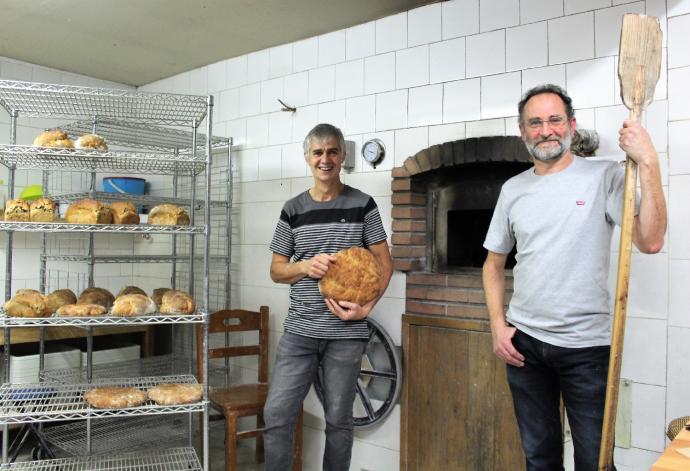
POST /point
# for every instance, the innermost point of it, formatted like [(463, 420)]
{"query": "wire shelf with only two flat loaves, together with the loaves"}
[(111, 397)]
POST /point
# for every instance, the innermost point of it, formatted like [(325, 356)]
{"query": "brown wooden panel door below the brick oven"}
[(459, 412)]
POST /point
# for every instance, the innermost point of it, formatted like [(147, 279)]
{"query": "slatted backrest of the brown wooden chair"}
[(236, 320)]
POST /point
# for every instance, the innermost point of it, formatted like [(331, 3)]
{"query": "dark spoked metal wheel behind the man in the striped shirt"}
[(380, 379)]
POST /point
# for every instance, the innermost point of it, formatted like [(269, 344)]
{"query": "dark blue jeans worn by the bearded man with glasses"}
[(579, 375)]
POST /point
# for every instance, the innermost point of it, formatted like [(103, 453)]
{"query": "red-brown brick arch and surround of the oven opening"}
[(456, 295)]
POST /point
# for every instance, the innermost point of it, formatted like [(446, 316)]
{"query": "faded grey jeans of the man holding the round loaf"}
[(296, 365)]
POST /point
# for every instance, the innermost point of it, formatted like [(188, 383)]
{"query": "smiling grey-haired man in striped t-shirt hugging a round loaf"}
[(328, 217)]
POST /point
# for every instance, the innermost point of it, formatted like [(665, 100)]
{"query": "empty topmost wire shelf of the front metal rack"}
[(66, 101)]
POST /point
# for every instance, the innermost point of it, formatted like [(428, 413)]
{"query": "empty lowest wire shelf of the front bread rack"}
[(174, 459)]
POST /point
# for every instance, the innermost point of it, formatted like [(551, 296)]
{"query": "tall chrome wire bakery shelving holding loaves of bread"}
[(155, 134)]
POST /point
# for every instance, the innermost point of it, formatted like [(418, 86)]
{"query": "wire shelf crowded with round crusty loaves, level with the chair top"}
[(98, 306)]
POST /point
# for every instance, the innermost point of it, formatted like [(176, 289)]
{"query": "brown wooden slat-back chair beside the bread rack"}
[(242, 400)]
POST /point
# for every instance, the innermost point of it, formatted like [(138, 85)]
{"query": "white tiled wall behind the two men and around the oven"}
[(448, 71)]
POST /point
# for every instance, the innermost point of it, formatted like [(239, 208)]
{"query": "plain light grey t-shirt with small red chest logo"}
[(562, 225)]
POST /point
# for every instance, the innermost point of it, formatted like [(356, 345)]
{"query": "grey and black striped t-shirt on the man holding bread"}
[(307, 228)]
